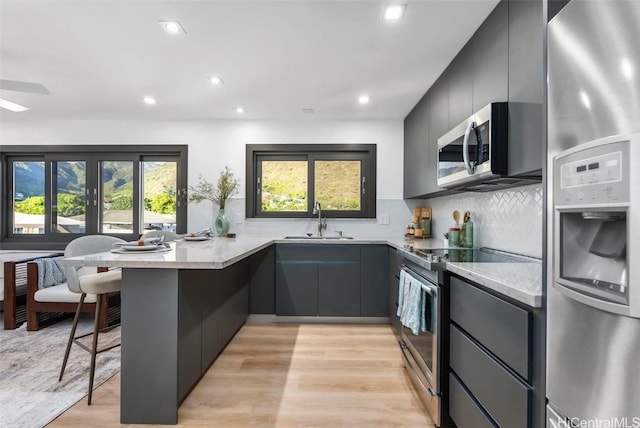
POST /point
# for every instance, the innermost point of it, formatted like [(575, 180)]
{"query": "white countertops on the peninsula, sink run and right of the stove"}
[(521, 281)]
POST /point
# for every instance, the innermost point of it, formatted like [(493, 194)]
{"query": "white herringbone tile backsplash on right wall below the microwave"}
[(508, 220)]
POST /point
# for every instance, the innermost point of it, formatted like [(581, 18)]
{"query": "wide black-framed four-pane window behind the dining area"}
[(53, 194)]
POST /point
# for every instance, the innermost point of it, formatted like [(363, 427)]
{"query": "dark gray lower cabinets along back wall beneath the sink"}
[(331, 280)]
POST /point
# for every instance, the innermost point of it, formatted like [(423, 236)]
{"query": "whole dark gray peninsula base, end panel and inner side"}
[(174, 325)]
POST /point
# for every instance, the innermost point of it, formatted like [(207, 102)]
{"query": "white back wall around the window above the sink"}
[(219, 143)]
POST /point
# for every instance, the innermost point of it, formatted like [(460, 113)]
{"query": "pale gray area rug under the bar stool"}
[(30, 361)]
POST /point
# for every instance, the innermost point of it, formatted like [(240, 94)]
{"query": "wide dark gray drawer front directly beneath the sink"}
[(318, 253)]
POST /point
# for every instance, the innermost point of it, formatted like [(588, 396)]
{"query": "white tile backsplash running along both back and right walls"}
[(508, 220)]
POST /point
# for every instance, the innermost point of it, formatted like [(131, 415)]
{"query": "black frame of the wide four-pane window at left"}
[(53, 153)]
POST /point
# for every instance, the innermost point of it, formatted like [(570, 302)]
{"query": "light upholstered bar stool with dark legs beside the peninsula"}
[(99, 284)]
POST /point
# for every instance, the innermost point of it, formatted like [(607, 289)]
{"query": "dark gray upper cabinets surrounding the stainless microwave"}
[(501, 62)]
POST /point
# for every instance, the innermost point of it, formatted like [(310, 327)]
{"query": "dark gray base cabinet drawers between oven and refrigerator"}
[(490, 359)]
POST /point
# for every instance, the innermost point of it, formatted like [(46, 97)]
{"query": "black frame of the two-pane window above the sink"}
[(366, 153)]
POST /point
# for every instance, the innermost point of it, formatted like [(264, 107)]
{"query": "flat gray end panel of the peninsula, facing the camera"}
[(149, 317)]
